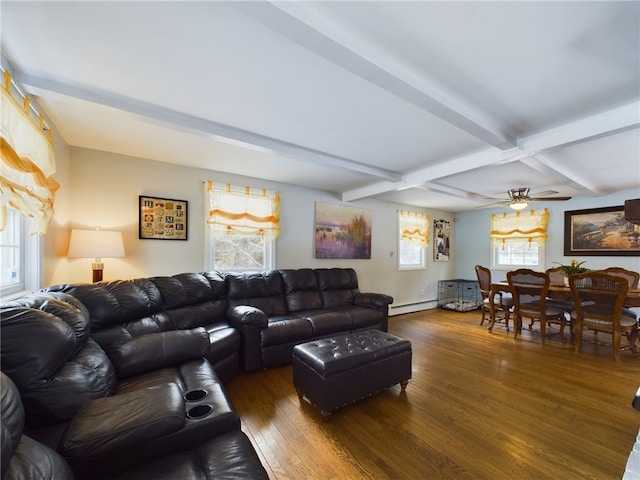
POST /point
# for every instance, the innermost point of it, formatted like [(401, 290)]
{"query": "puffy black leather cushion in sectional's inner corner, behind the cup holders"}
[(158, 350)]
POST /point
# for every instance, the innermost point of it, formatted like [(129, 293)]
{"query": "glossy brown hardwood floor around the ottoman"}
[(480, 405)]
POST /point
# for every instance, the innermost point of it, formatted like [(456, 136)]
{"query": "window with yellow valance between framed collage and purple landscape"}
[(242, 229)]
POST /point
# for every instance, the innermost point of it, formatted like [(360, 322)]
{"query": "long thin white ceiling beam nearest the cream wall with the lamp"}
[(175, 119)]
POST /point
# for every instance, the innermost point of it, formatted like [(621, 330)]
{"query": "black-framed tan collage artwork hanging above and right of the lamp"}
[(162, 218)]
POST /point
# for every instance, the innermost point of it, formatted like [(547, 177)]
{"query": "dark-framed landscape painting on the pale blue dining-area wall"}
[(600, 231)]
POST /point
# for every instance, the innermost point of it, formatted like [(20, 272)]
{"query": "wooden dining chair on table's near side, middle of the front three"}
[(529, 290)]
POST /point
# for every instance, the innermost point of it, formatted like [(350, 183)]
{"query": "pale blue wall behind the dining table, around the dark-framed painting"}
[(473, 227)]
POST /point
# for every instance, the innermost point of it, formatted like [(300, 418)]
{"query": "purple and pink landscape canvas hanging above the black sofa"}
[(342, 232)]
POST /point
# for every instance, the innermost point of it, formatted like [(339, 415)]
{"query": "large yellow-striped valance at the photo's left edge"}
[(26, 163)]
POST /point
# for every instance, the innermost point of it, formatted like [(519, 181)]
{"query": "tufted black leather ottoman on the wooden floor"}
[(337, 371)]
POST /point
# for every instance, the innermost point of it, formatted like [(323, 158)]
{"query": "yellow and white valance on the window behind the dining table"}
[(530, 226)]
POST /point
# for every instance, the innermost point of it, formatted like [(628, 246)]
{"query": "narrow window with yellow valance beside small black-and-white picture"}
[(413, 239)]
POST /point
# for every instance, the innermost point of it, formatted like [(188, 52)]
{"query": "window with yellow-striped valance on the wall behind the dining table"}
[(517, 241)]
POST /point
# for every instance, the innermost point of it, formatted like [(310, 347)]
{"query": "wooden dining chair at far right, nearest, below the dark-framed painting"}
[(599, 297)]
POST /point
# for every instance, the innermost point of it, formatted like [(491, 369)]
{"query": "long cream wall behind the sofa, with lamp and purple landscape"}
[(102, 189)]
